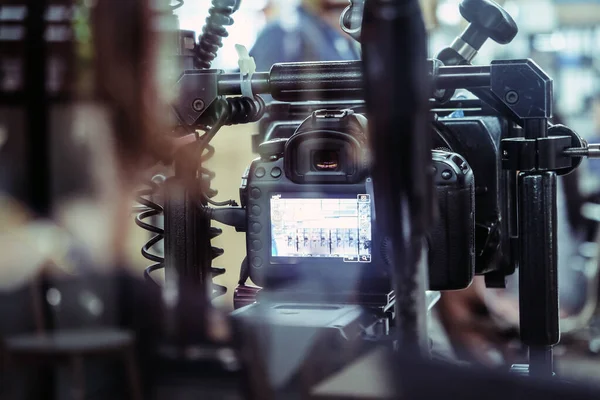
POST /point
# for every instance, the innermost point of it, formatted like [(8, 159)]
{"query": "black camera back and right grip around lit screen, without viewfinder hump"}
[(451, 242)]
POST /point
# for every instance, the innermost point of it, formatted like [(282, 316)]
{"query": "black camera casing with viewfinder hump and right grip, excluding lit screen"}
[(285, 170)]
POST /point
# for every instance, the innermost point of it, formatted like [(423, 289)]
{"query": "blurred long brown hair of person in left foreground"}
[(126, 70)]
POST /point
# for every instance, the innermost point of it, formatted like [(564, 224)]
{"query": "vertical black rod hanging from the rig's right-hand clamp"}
[(538, 286)]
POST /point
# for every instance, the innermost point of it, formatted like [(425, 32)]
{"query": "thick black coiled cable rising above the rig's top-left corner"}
[(214, 31)]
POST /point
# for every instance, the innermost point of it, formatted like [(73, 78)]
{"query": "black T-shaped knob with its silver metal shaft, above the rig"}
[(487, 20)]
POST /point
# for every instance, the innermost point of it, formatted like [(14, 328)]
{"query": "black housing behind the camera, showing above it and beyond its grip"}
[(476, 136)]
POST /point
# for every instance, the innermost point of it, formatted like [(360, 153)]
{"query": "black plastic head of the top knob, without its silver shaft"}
[(488, 20)]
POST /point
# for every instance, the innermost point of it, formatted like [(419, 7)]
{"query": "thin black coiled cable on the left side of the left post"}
[(152, 209)]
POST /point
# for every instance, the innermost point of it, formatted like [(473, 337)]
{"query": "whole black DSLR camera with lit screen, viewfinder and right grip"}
[(311, 217)]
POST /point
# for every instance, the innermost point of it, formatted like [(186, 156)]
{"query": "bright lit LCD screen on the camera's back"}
[(324, 227)]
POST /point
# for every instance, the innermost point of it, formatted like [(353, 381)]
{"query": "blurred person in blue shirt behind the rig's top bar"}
[(305, 31)]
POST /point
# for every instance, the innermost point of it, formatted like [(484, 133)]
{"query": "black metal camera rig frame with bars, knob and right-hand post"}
[(533, 155)]
